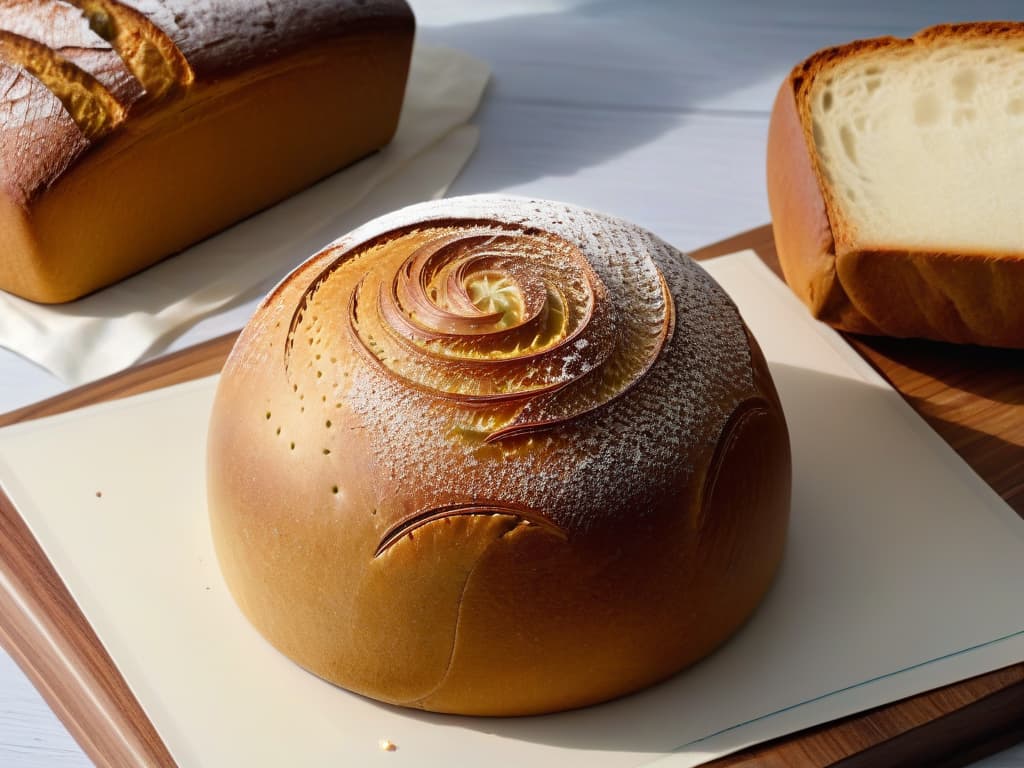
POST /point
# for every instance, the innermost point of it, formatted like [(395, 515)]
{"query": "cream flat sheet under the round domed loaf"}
[(904, 573)]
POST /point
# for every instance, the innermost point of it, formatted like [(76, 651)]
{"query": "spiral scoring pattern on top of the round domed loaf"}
[(516, 328)]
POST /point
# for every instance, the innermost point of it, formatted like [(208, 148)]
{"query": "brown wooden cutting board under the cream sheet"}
[(973, 398)]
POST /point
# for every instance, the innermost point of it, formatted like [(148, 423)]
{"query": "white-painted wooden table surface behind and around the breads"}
[(653, 110)]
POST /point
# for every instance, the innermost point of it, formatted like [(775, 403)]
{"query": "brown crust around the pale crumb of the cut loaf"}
[(956, 296)]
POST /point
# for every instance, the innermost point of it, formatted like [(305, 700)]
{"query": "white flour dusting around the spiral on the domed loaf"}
[(593, 468)]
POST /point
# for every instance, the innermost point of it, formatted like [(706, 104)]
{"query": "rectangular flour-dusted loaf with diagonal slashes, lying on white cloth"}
[(131, 130)]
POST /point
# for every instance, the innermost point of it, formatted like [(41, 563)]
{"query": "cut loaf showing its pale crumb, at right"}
[(894, 182)]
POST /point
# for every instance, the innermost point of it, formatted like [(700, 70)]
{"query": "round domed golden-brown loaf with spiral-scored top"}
[(498, 457)]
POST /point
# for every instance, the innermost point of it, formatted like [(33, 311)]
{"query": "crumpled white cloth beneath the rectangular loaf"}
[(114, 328)]
